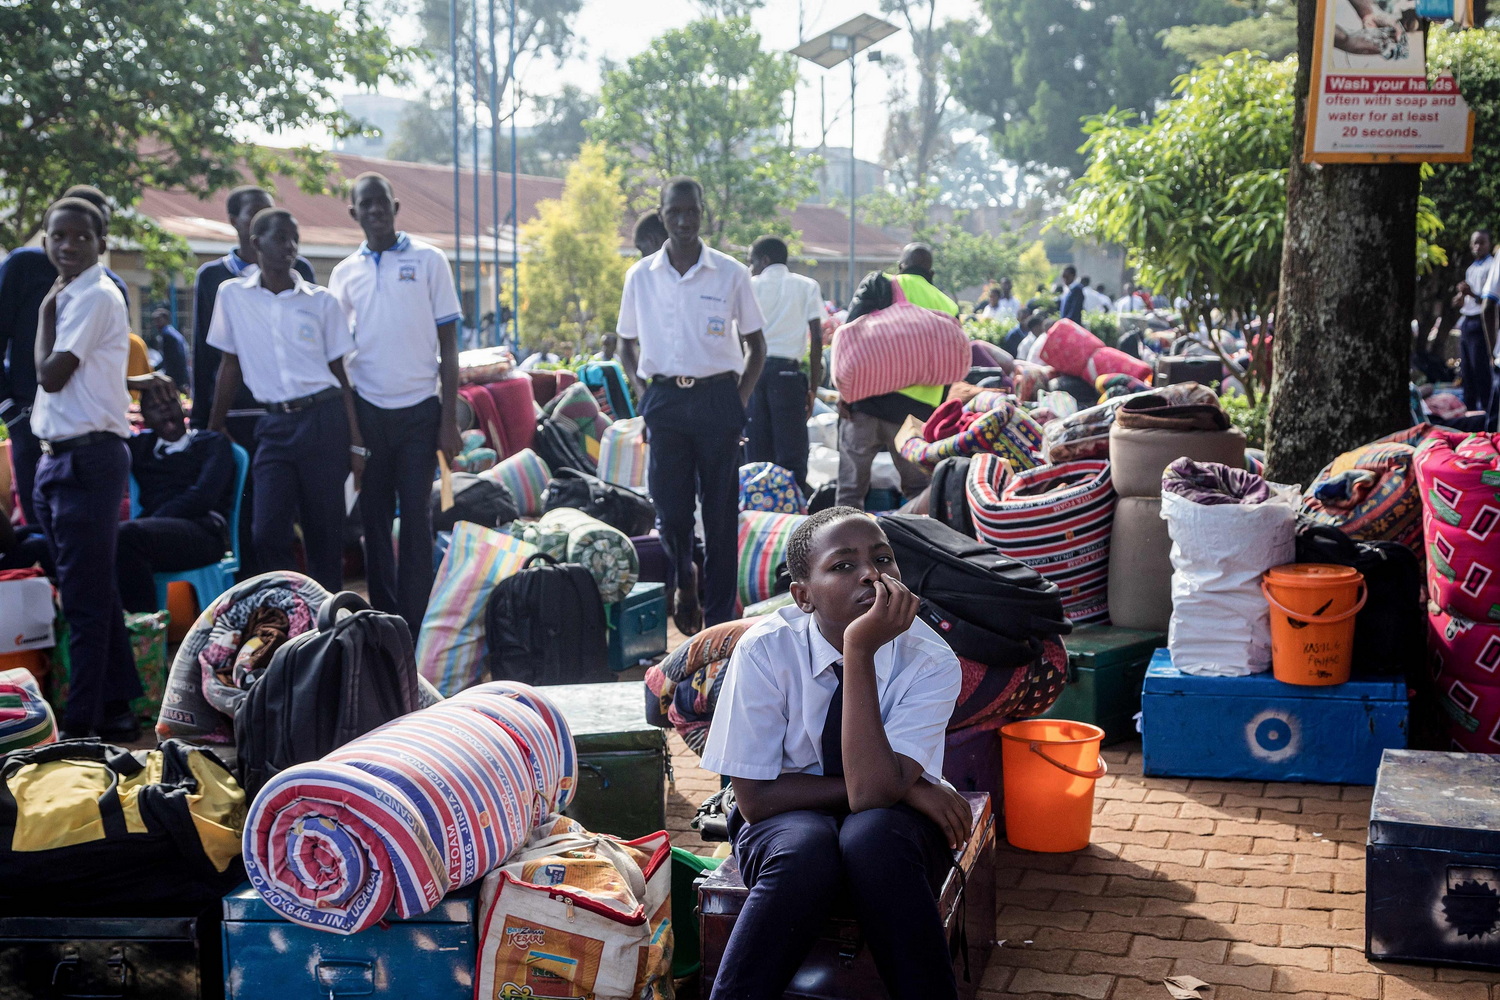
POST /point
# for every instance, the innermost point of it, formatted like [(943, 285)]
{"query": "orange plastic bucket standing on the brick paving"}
[(1051, 767)]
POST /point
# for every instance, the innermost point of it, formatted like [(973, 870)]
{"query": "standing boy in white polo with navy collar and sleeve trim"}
[(400, 299)]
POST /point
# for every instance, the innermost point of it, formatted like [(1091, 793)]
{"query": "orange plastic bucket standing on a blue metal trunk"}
[(1313, 611)]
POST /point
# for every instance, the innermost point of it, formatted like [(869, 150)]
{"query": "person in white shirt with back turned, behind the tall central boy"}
[(793, 307)]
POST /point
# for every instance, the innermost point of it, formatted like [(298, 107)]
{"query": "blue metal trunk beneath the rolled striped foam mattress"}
[(430, 957)]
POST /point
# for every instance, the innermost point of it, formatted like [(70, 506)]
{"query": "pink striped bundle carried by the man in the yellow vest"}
[(898, 347)]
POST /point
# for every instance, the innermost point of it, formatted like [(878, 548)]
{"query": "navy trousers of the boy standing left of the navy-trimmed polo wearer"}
[(301, 464)]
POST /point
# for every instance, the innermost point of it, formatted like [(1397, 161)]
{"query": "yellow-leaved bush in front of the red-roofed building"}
[(572, 274)]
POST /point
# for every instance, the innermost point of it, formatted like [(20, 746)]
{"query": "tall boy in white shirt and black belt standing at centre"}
[(679, 316)]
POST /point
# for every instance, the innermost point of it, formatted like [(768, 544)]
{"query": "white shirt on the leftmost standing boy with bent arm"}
[(92, 326)]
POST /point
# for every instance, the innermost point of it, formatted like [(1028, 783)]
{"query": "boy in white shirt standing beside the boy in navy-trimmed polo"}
[(287, 340)]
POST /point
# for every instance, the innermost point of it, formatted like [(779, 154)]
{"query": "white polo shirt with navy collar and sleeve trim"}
[(397, 301)]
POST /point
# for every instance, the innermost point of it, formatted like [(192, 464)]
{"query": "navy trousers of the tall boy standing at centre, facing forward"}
[(695, 455)]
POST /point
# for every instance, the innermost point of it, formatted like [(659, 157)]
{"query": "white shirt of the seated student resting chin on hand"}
[(781, 681)]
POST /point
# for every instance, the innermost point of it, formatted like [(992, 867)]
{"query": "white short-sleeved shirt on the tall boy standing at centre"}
[(688, 325)]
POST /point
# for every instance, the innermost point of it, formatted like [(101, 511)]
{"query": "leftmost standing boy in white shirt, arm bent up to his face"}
[(80, 419)]
